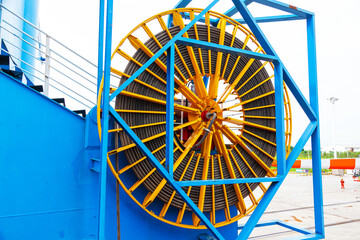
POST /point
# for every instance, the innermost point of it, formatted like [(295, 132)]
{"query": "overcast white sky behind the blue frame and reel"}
[(75, 23)]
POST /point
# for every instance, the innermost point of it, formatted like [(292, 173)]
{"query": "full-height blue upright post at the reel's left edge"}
[(105, 120)]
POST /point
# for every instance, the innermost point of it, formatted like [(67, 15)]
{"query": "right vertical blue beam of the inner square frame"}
[(279, 112)]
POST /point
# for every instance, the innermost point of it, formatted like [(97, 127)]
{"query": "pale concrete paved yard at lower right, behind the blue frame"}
[(294, 204)]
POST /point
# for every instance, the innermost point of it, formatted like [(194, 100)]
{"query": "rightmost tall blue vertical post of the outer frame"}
[(315, 140)]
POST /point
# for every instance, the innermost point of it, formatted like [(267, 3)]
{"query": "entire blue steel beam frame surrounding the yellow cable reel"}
[(281, 76)]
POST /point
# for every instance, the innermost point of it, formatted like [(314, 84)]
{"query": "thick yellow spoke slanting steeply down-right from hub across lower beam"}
[(220, 146)]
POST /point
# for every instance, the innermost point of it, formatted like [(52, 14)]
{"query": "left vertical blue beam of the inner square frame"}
[(169, 149)]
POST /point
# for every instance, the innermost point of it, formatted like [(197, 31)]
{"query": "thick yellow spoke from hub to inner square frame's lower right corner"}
[(235, 139)]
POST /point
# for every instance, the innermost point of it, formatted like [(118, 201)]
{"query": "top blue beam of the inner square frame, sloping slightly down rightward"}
[(224, 49)]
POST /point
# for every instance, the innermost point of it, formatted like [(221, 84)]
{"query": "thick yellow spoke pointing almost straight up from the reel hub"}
[(214, 83)]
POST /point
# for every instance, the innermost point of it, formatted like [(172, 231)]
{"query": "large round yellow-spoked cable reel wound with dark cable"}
[(224, 152)]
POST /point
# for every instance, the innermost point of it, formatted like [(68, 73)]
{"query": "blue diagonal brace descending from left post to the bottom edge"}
[(162, 171)]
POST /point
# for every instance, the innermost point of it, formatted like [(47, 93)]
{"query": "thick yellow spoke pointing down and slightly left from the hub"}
[(206, 160)]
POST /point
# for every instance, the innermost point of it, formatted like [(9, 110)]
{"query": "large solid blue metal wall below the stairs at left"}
[(47, 188)]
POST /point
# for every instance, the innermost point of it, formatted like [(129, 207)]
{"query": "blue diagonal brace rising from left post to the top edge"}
[(162, 50)]
